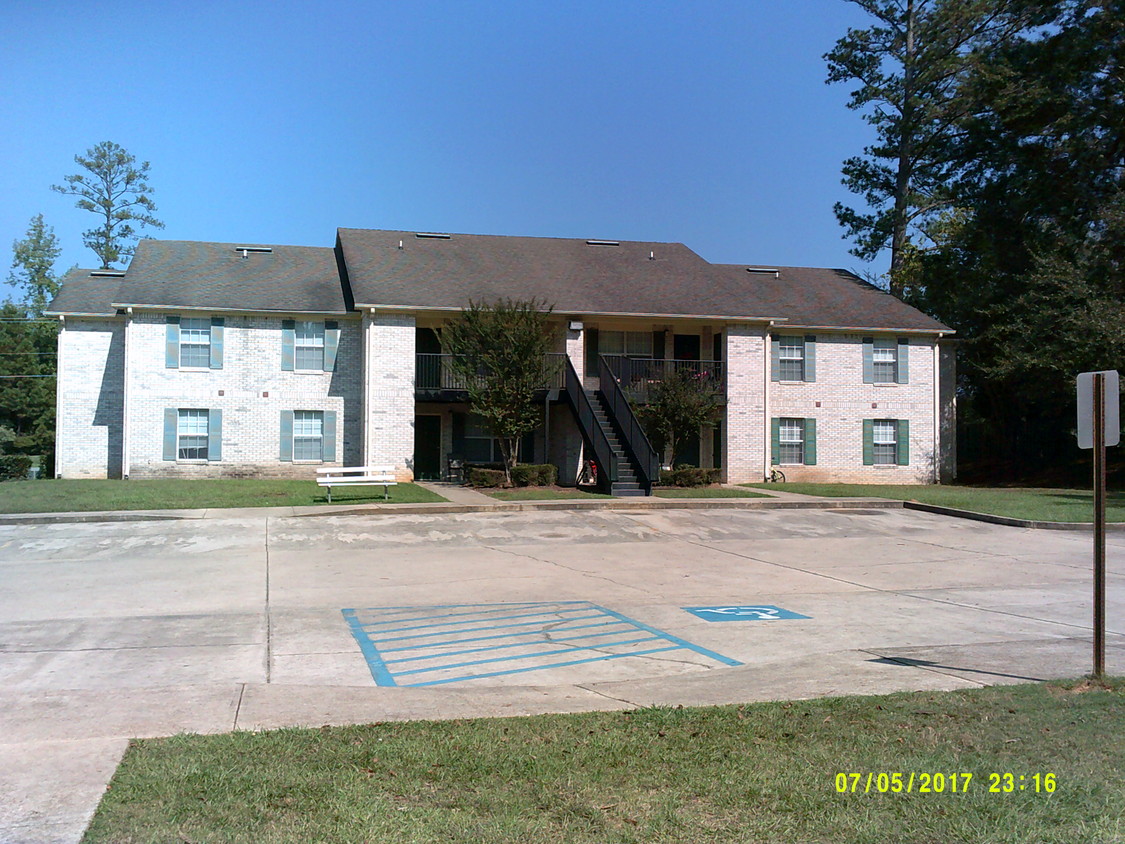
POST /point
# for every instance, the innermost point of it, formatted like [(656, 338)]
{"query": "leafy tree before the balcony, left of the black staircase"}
[(500, 352)]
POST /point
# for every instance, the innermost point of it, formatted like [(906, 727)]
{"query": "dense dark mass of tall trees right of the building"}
[(997, 185)]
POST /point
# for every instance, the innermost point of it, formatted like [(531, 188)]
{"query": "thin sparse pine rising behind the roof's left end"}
[(118, 191)]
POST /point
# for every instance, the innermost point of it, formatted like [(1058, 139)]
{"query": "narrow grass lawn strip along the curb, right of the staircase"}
[(1048, 506)]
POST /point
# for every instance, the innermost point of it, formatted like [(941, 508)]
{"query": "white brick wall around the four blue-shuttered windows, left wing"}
[(255, 391)]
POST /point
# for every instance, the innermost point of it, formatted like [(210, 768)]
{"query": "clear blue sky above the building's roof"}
[(707, 123)]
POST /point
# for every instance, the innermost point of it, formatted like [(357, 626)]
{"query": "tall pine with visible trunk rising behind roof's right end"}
[(908, 66)]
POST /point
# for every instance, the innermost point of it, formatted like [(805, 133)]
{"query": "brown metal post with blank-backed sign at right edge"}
[(1099, 427)]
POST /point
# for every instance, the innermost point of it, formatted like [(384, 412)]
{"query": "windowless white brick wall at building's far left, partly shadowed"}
[(88, 441)]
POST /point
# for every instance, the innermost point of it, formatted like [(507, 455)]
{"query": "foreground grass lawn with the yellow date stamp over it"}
[(764, 773)]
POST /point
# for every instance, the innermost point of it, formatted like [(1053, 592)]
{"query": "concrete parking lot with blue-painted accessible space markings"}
[(110, 631)]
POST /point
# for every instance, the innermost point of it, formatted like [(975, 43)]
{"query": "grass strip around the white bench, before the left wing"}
[(53, 497)]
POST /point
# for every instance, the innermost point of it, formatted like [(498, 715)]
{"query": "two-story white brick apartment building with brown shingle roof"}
[(236, 361)]
